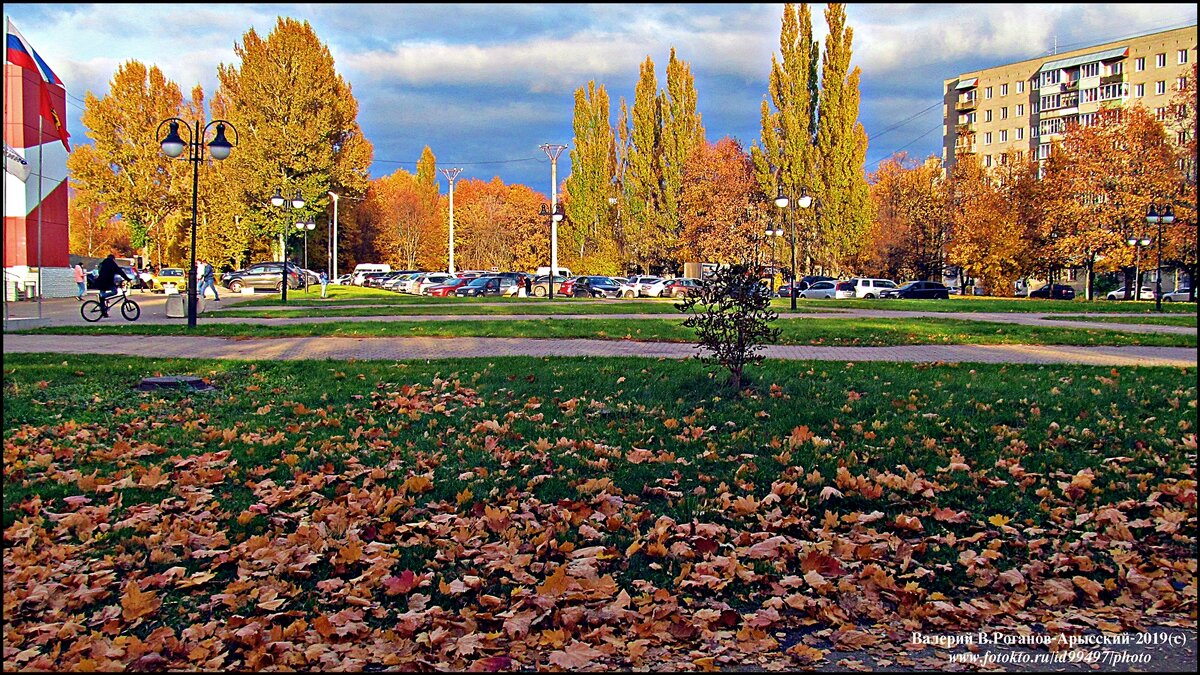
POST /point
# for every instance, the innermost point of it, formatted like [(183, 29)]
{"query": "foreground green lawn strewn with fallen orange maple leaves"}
[(519, 513)]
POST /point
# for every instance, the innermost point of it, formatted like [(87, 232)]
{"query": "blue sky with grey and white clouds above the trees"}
[(484, 86)]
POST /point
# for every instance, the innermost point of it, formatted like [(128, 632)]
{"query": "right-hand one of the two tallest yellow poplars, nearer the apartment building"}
[(844, 199)]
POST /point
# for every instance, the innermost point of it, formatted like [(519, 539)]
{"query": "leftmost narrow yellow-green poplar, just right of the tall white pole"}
[(593, 166)]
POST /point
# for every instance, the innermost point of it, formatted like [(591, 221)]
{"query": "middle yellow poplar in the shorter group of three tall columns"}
[(645, 236)]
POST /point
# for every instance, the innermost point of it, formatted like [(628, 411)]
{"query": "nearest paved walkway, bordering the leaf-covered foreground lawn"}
[(395, 349)]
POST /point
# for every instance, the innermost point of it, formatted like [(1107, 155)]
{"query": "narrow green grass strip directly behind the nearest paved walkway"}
[(808, 331)]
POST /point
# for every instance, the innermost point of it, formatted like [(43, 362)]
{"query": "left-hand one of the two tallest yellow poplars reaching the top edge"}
[(788, 158)]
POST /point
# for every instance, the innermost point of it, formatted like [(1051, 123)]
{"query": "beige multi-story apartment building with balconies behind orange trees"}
[(1009, 112)]
